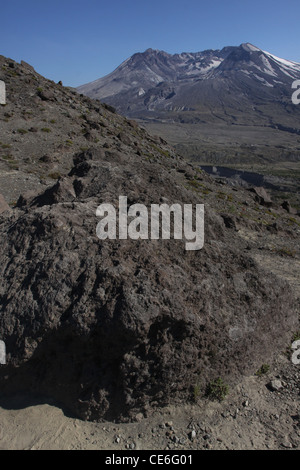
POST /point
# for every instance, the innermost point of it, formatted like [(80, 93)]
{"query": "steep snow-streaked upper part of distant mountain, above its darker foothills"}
[(167, 76)]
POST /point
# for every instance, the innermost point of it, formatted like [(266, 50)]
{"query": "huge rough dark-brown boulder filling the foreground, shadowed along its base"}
[(115, 327)]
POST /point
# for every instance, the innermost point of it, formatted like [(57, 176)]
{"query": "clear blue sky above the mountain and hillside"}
[(80, 41)]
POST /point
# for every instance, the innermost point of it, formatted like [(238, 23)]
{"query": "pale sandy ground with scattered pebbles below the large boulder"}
[(251, 417)]
